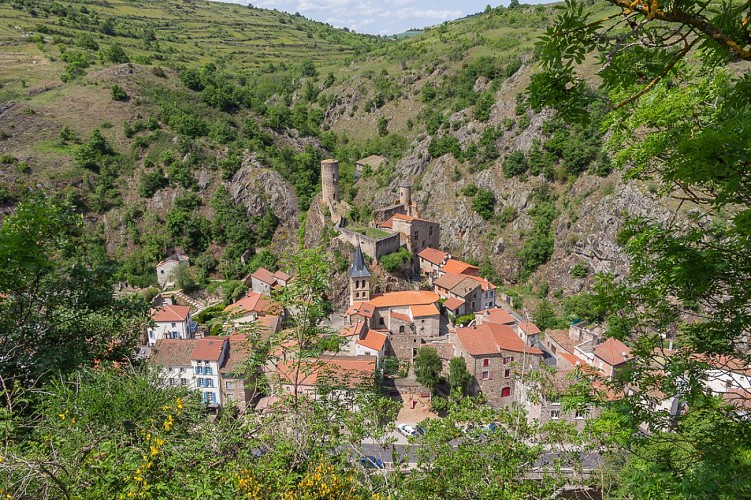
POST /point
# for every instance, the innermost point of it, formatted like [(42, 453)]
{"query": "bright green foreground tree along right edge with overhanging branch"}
[(688, 280)]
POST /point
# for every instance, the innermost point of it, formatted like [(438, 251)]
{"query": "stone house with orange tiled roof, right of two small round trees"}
[(496, 357)]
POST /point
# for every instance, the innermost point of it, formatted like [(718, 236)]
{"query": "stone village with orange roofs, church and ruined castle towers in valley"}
[(457, 315)]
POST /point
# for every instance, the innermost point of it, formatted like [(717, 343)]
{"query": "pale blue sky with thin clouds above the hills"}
[(378, 17)]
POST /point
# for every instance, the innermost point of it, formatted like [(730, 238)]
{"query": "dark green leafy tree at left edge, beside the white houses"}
[(57, 311)]
